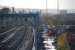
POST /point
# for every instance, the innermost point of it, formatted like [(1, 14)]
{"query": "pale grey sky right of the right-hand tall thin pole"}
[(67, 4)]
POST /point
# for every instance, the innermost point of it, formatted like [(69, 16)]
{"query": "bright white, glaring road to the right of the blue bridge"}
[(48, 41)]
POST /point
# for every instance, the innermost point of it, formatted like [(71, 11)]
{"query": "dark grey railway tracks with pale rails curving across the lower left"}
[(12, 39)]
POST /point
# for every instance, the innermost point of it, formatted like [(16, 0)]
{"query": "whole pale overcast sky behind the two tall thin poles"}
[(39, 4)]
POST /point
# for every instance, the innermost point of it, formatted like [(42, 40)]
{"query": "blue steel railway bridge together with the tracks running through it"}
[(16, 31)]
